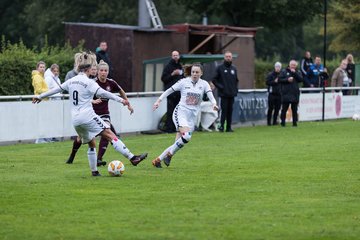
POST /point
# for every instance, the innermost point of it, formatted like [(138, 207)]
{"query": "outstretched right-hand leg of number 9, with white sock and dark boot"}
[(120, 147)]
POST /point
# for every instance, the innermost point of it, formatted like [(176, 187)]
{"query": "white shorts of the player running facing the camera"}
[(184, 118)]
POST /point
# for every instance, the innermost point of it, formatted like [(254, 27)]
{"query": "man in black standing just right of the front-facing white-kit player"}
[(226, 81)]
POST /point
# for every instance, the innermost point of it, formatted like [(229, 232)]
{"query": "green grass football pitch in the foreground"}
[(256, 183)]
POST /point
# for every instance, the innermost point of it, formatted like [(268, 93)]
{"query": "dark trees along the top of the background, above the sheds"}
[(283, 20)]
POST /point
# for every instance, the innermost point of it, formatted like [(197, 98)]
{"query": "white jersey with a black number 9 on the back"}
[(81, 92)]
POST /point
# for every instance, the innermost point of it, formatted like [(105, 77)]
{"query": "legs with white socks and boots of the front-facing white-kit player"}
[(182, 137)]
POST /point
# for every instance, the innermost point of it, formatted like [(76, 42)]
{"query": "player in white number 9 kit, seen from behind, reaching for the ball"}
[(87, 124)]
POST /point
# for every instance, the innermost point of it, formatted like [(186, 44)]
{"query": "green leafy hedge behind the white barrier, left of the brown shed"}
[(17, 62)]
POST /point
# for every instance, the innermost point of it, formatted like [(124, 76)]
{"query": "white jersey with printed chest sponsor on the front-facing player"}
[(191, 93)]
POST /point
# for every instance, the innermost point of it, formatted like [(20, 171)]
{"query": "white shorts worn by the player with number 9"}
[(89, 130)]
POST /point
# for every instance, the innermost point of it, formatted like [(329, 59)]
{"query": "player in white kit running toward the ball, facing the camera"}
[(185, 114)]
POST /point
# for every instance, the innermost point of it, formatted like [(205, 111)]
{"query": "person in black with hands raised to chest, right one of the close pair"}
[(290, 93)]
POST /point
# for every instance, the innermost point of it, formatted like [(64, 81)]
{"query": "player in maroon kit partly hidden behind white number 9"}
[(101, 108)]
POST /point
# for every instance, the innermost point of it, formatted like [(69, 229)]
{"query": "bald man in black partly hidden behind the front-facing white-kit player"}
[(172, 73)]
